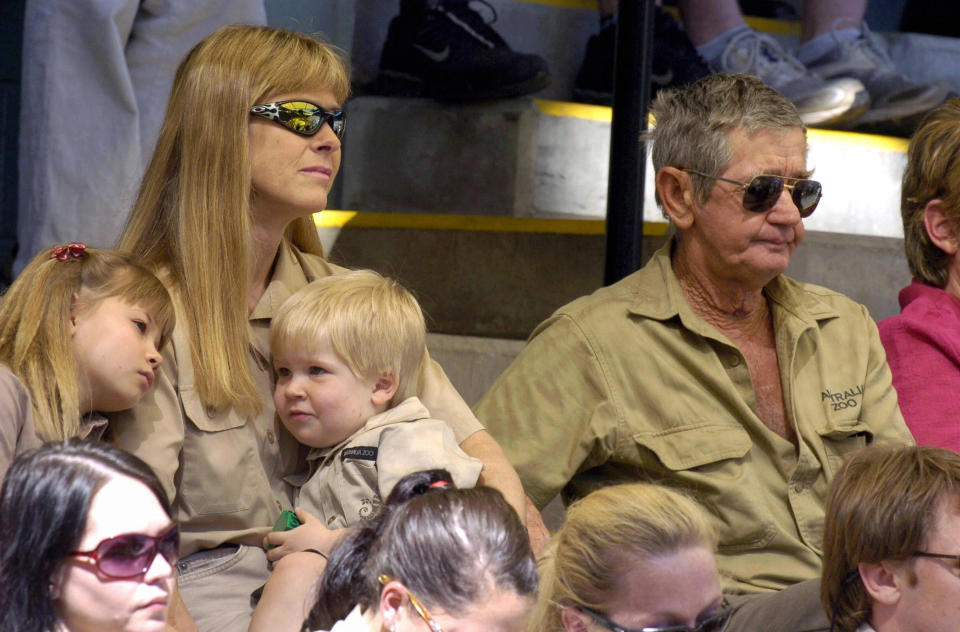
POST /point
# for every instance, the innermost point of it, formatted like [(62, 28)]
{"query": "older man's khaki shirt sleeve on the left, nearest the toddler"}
[(551, 410)]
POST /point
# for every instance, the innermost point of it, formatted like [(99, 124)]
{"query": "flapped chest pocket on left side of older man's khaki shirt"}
[(712, 463)]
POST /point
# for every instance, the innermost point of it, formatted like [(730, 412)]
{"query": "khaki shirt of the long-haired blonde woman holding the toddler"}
[(223, 471)]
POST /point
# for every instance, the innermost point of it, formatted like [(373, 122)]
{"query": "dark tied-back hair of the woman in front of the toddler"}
[(447, 545)]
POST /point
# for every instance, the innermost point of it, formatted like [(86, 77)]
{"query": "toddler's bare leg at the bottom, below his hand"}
[(289, 593)]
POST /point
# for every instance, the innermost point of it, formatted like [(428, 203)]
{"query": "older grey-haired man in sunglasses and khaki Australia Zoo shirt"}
[(708, 369)]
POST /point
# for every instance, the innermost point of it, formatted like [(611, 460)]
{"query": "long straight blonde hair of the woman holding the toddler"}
[(192, 220)]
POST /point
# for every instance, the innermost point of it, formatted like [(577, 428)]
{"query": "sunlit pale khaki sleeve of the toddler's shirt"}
[(425, 444)]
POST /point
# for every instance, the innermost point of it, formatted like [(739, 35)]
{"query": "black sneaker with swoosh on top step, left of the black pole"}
[(449, 52)]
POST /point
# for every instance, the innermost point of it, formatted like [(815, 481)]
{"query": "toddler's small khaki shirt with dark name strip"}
[(350, 480)]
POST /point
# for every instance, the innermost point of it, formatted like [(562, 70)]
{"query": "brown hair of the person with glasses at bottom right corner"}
[(882, 506)]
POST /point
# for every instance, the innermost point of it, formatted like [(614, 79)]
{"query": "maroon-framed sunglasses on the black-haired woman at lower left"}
[(131, 554)]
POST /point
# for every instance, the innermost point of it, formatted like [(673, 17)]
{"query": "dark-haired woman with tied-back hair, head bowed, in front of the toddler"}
[(435, 558)]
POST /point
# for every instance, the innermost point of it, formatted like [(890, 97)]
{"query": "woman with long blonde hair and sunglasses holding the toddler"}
[(248, 151)]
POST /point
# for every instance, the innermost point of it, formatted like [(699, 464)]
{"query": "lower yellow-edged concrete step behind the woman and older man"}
[(500, 276)]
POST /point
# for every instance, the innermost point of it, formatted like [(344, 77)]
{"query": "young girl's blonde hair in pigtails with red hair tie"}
[(35, 341)]
